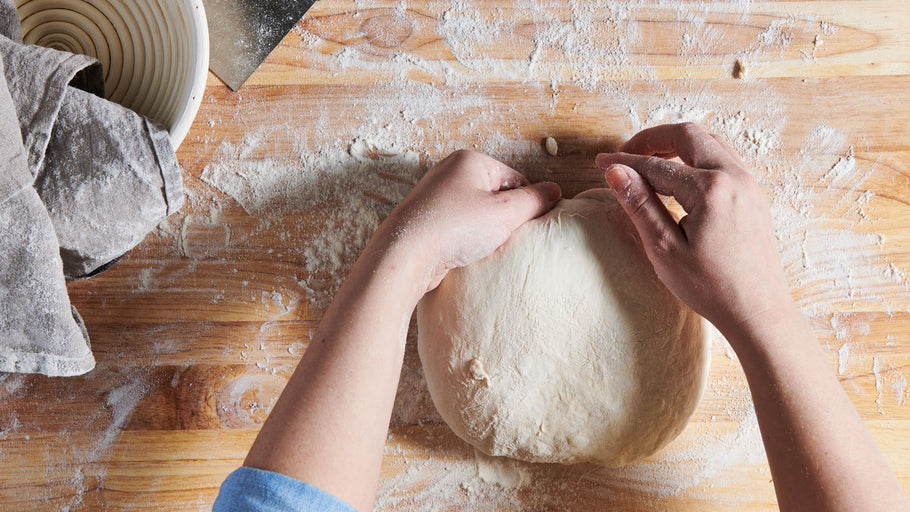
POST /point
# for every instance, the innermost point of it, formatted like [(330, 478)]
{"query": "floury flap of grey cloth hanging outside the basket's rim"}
[(109, 177)]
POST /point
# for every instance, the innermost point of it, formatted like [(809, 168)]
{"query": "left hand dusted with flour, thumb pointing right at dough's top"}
[(464, 208)]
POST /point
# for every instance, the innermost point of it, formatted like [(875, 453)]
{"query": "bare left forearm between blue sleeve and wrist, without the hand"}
[(329, 426)]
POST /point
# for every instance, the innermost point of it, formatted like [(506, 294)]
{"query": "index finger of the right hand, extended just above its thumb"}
[(666, 177)]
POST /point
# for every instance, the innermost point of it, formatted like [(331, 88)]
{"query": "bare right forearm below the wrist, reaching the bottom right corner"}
[(822, 457)]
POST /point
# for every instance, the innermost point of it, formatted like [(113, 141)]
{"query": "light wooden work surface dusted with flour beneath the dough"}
[(197, 329)]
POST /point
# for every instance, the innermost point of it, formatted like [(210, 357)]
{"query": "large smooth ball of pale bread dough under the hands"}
[(563, 346)]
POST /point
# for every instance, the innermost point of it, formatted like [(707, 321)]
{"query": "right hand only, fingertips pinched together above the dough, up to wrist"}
[(722, 258)]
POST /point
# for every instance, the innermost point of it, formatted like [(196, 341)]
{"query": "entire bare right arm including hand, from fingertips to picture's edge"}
[(722, 260)]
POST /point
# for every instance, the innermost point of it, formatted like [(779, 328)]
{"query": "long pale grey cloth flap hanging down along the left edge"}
[(40, 332)]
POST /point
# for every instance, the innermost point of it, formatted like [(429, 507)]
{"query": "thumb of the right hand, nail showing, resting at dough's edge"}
[(658, 230)]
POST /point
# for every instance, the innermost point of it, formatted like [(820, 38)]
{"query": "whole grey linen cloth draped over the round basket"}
[(82, 181)]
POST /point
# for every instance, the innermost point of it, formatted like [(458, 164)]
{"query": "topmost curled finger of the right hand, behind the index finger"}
[(690, 142)]
